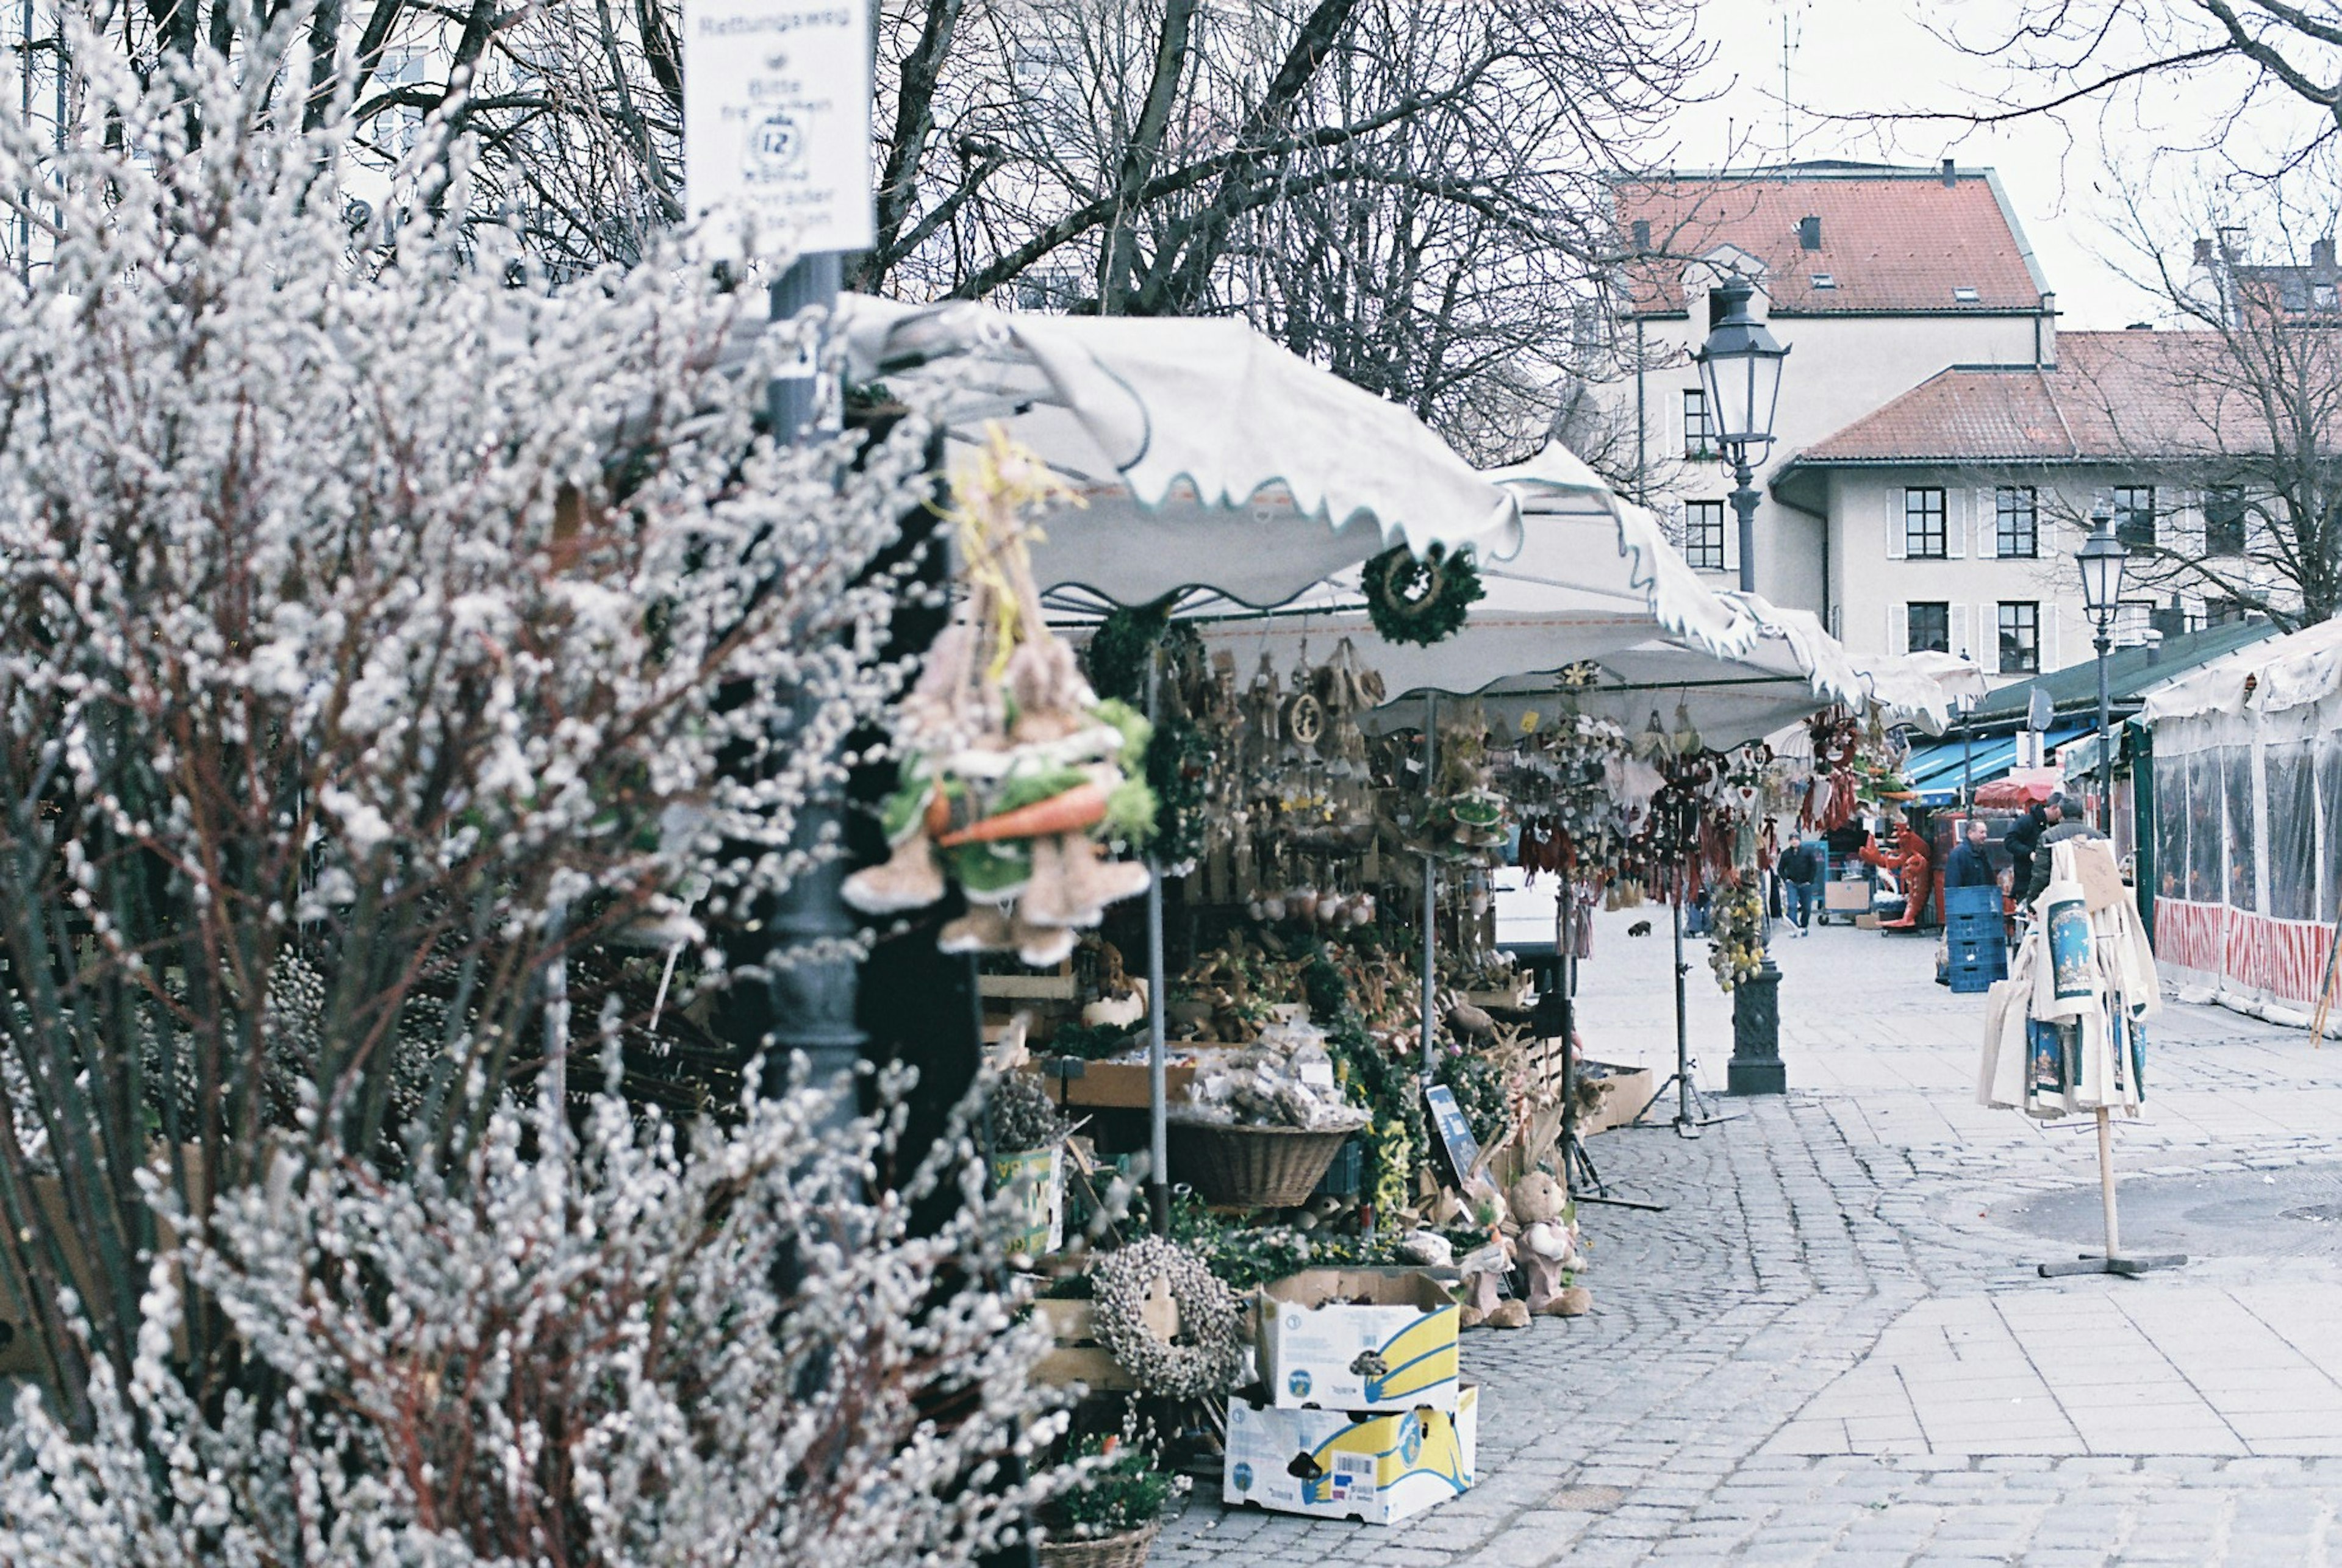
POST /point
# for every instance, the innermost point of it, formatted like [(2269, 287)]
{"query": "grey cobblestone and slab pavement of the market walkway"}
[(1833, 1345)]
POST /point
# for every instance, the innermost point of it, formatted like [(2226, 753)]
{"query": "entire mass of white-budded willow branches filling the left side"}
[(378, 631)]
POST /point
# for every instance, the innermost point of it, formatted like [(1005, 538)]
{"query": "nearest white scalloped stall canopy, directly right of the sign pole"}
[(1207, 455)]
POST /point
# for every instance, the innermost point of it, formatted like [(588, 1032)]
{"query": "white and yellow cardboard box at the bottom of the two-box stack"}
[(1376, 1469)]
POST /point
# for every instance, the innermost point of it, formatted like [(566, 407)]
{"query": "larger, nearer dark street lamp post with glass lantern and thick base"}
[(1741, 378)]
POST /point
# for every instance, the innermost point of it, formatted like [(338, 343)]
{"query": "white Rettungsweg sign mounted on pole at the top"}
[(779, 118)]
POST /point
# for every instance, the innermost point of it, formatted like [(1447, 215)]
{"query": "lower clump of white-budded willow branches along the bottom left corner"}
[(669, 1349)]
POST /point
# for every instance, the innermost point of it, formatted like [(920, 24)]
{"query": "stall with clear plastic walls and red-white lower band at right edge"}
[(2245, 809)]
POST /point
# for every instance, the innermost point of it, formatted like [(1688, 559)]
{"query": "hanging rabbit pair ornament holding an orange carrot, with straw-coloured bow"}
[(1015, 773)]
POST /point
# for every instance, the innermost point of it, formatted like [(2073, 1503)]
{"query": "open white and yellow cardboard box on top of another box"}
[(1324, 1352)]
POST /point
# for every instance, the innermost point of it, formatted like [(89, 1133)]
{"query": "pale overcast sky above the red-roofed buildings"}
[(1854, 57)]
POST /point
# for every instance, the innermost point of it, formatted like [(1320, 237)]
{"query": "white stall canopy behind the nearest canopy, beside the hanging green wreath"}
[(1596, 584)]
